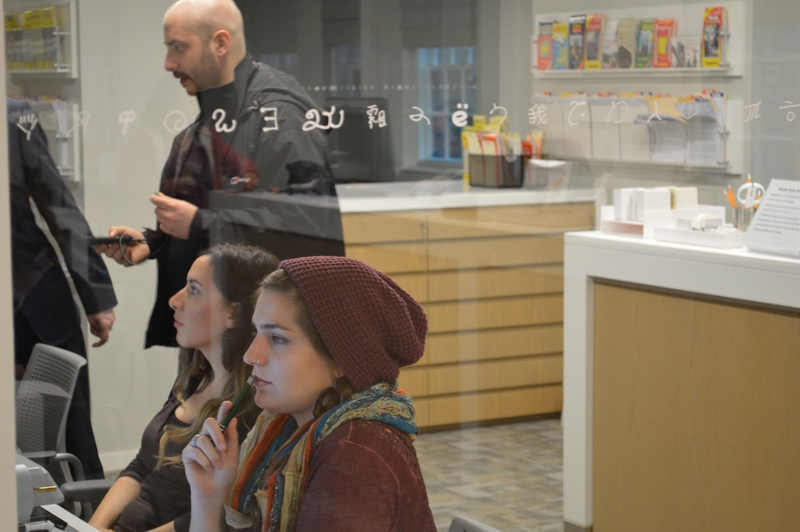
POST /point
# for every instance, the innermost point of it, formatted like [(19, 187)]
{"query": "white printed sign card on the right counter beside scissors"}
[(776, 225)]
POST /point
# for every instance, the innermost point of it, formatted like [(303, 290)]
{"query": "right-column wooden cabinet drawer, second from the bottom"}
[(495, 375)]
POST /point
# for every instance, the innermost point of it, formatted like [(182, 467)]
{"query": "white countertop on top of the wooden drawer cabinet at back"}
[(419, 195)]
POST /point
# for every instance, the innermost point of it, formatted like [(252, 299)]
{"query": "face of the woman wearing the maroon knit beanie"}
[(289, 372)]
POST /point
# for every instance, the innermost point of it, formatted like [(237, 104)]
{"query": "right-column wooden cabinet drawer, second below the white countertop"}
[(495, 252)]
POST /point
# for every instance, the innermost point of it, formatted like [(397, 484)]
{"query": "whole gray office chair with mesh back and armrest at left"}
[(42, 401)]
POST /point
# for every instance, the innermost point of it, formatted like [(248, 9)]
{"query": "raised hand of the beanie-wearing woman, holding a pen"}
[(211, 460)]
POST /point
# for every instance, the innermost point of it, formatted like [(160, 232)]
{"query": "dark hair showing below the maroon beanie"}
[(280, 282)]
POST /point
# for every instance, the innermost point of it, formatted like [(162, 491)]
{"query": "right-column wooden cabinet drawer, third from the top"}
[(495, 282)]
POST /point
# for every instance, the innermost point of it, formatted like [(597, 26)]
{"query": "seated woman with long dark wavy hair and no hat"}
[(213, 317)]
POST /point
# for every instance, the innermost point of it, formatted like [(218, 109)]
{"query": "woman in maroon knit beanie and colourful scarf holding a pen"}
[(333, 450)]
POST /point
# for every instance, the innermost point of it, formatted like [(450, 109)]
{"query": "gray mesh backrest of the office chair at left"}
[(42, 402)]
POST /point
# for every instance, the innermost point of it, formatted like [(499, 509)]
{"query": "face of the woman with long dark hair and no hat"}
[(201, 313)]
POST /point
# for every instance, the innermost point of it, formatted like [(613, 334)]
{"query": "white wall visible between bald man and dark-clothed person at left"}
[(122, 57)]
